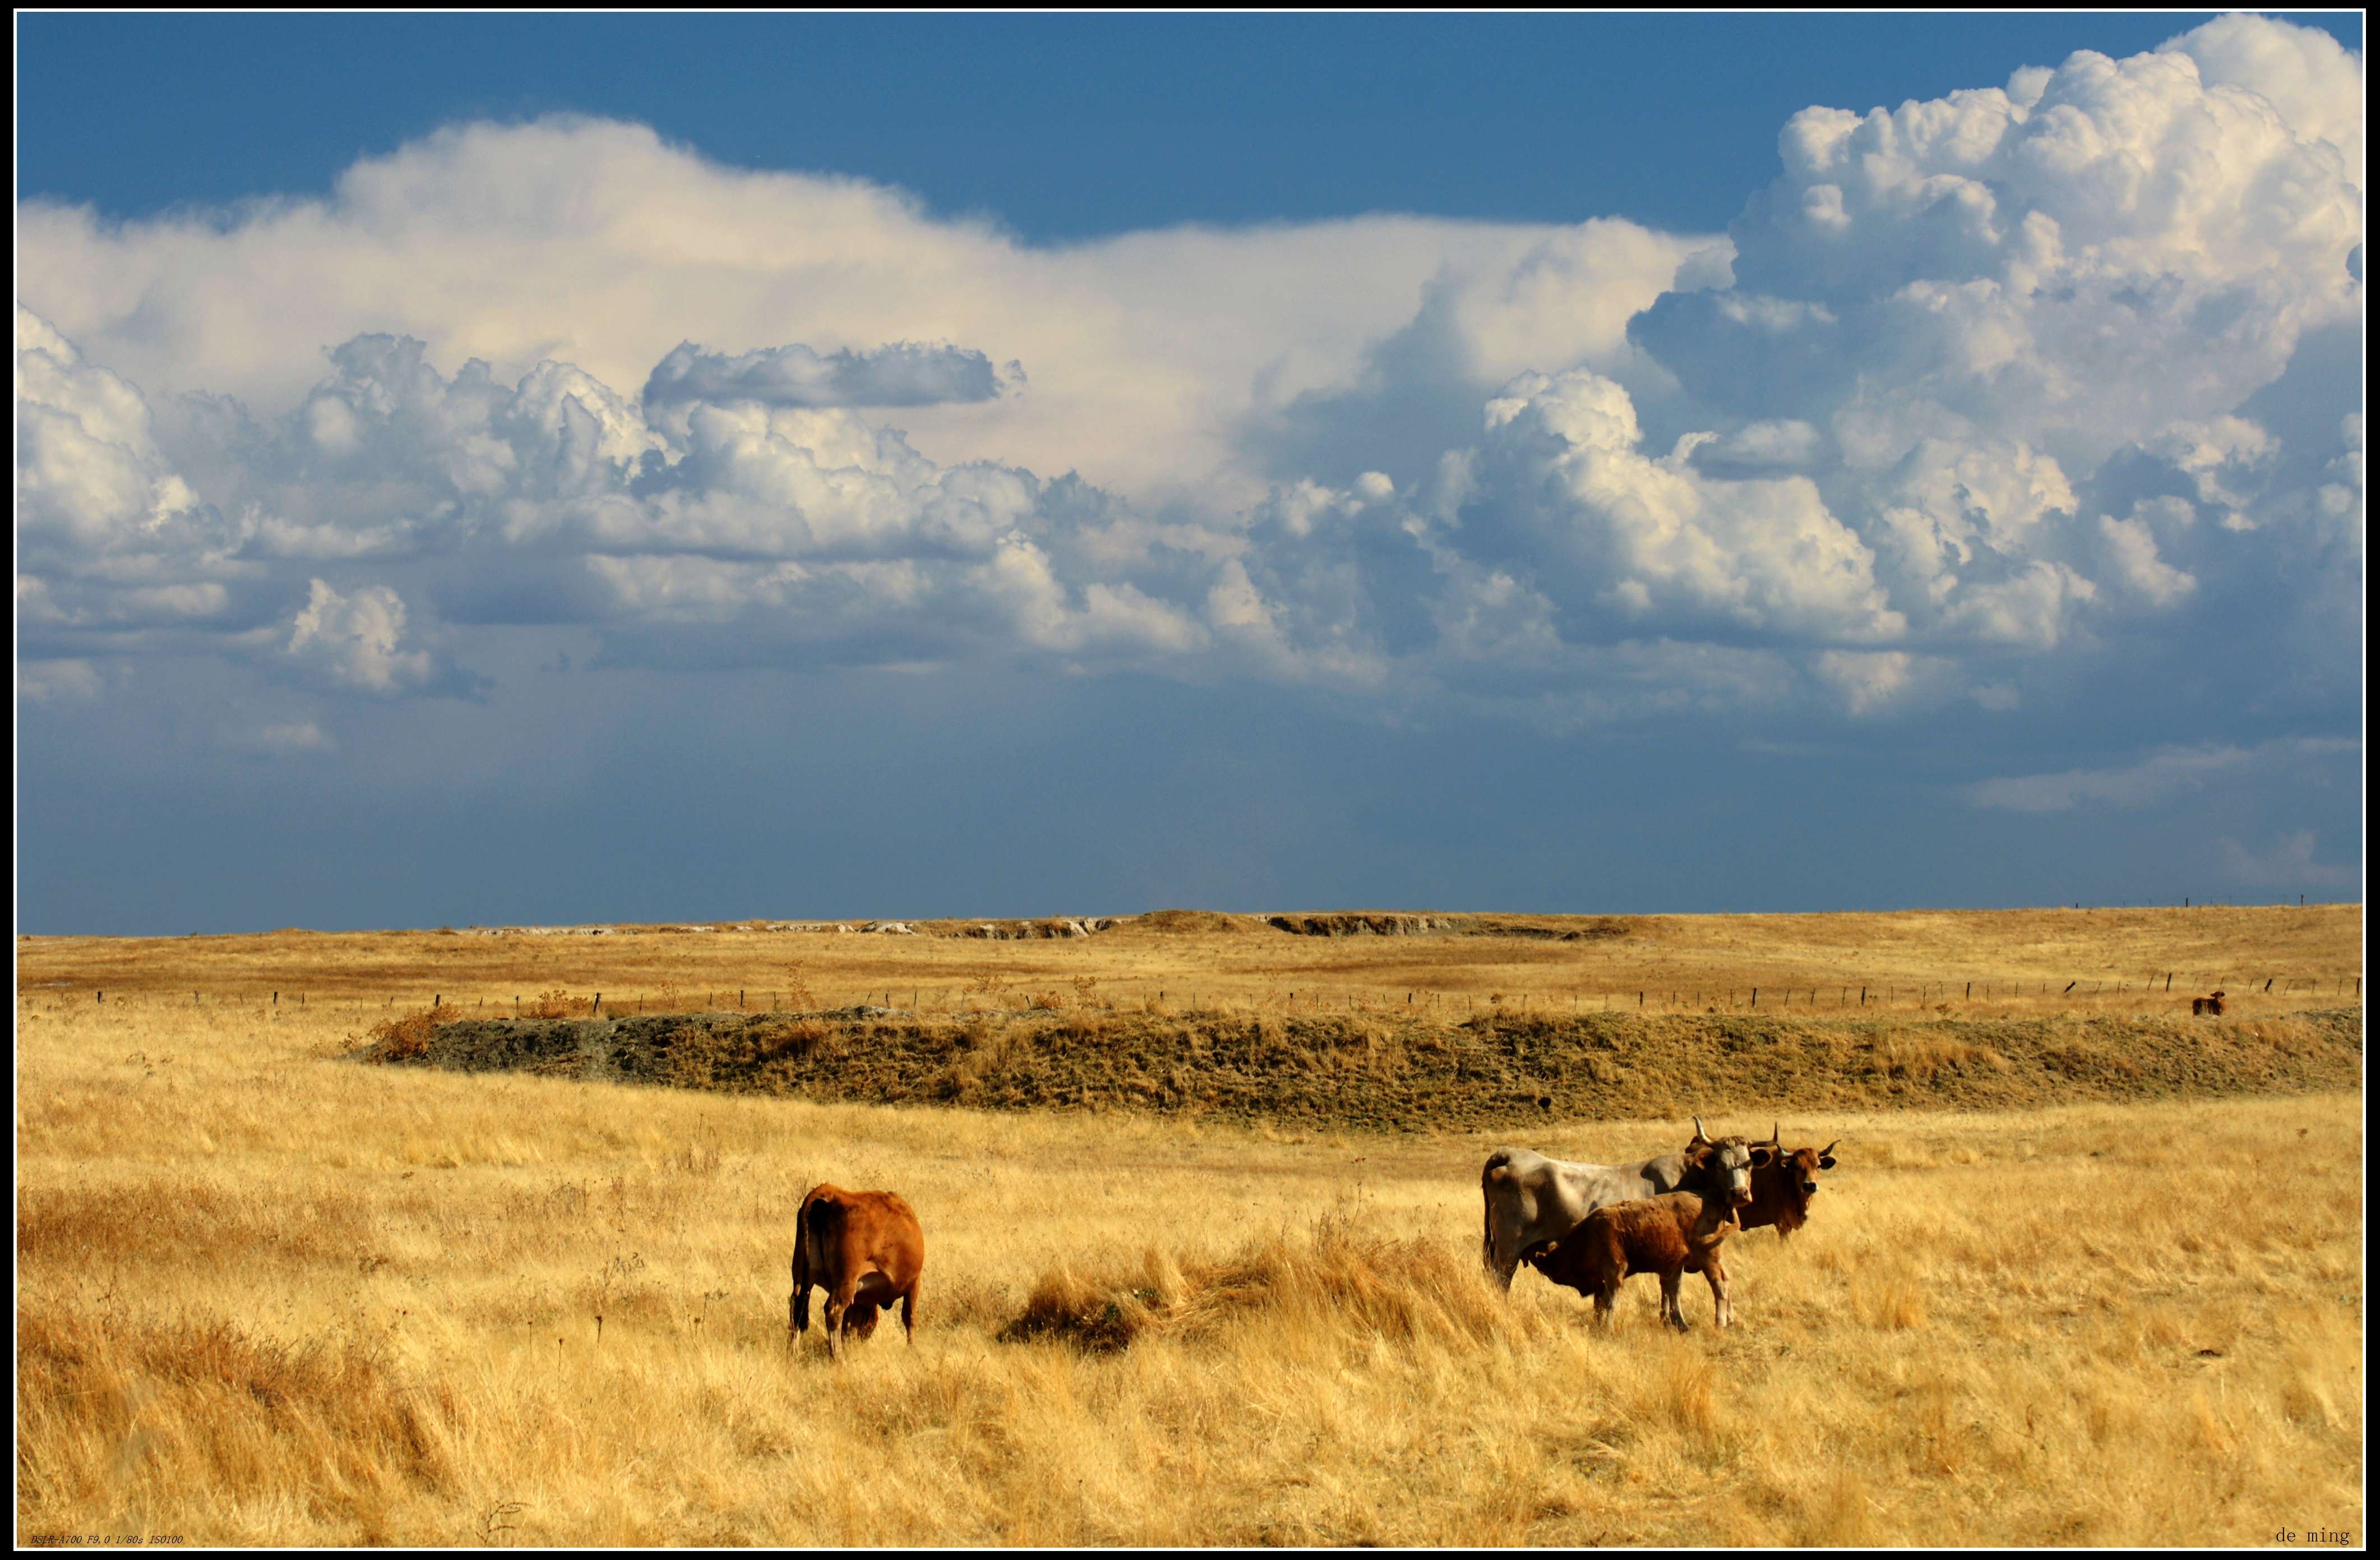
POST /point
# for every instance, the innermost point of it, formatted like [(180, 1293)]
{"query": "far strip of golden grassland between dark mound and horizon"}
[(2005, 963)]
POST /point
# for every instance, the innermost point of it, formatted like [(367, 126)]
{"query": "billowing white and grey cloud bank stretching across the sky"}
[(1979, 387)]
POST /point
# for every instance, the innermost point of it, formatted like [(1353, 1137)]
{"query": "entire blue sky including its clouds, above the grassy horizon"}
[(522, 468)]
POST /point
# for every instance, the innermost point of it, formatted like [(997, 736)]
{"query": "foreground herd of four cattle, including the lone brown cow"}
[(1579, 1225)]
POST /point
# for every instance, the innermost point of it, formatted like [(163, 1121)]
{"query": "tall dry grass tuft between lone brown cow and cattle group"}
[(1339, 1280)]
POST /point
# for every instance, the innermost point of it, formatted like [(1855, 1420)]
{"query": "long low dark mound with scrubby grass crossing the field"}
[(1365, 1071)]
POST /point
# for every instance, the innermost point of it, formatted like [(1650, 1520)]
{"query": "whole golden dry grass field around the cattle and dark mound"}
[(275, 1297)]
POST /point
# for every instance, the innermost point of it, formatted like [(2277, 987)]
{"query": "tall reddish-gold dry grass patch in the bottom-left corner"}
[(208, 1406)]
